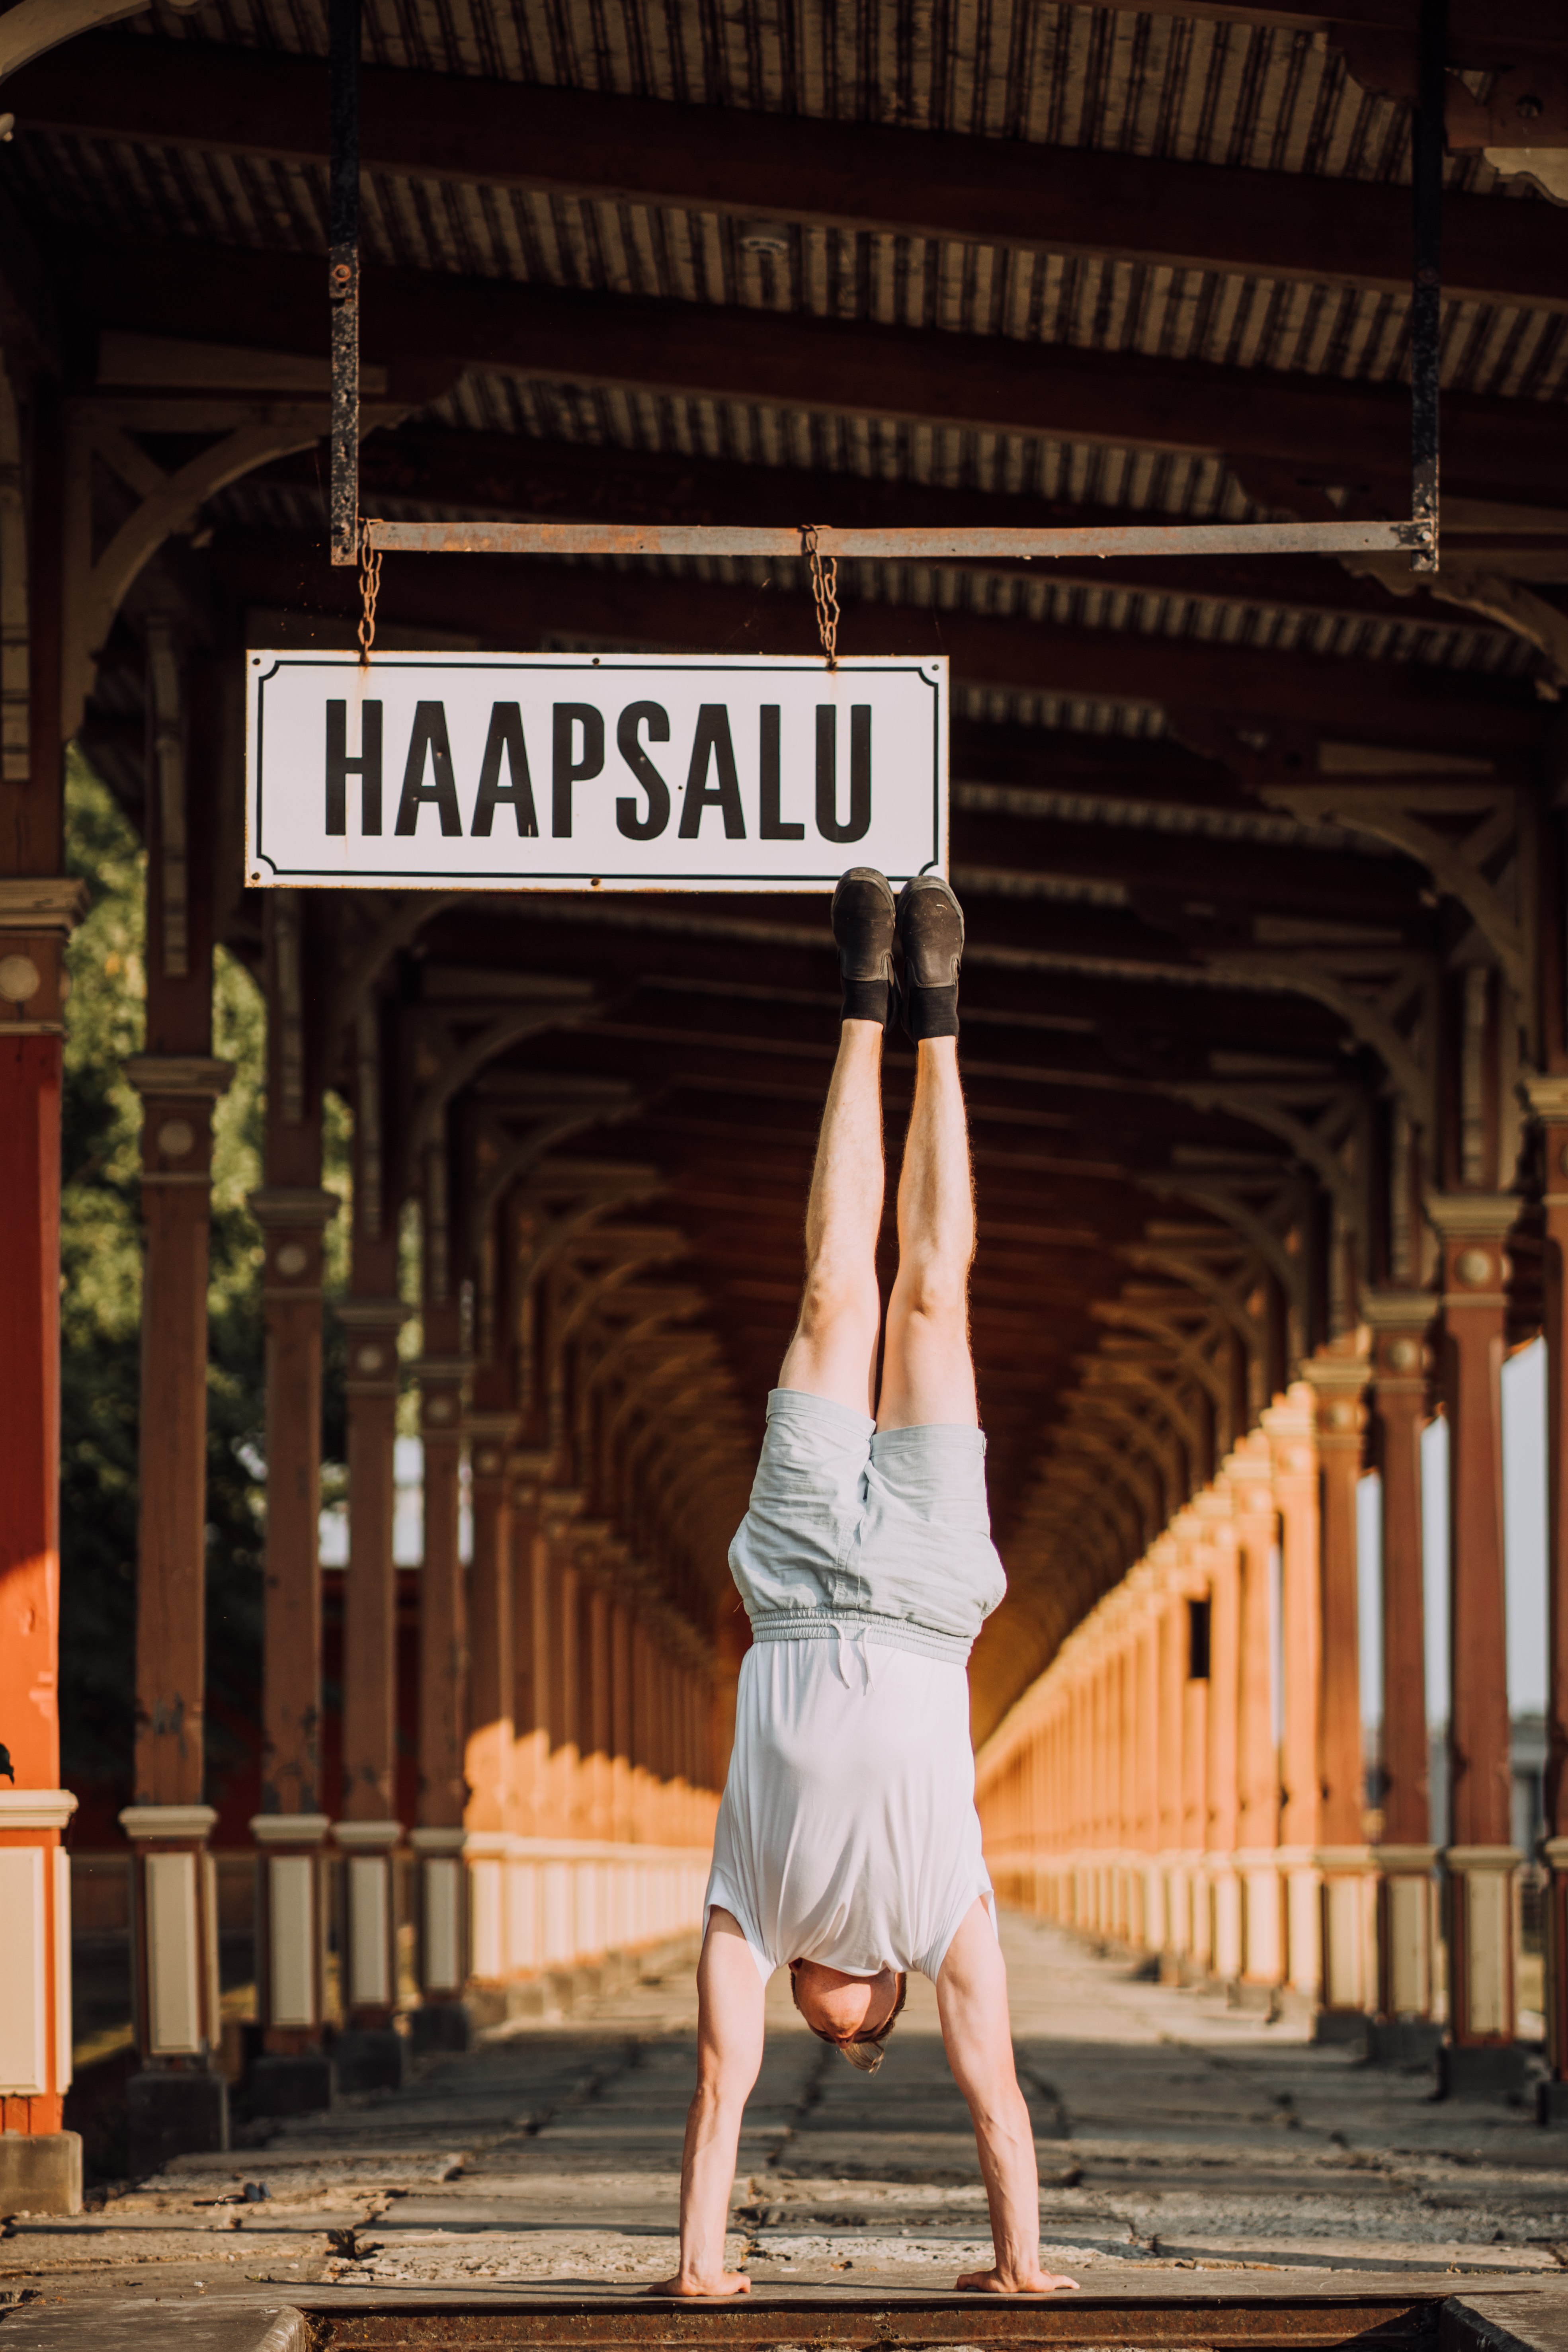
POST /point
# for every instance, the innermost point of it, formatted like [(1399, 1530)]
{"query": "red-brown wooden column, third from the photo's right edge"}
[(1405, 1859)]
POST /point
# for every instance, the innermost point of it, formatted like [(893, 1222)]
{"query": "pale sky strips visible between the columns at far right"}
[(1525, 1535)]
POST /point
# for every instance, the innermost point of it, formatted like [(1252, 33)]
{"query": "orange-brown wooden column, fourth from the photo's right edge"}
[(1346, 1864)]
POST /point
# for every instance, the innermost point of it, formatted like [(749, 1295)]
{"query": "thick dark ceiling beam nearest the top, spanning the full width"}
[(829, 175)]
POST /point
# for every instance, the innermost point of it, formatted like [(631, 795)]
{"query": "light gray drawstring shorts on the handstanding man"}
[(852, 1525)]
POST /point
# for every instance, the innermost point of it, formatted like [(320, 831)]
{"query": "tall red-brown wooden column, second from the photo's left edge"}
[(177, 2102)]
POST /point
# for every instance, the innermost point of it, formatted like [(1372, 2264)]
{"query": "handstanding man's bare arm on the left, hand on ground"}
[(730, 2059)]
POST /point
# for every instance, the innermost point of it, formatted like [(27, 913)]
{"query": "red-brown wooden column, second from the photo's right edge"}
[(1480, 1859)]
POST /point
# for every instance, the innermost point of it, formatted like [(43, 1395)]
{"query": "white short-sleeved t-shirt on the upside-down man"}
[(850, 1829)]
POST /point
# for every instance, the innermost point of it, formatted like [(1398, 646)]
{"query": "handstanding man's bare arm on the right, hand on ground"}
[(972, 2005)]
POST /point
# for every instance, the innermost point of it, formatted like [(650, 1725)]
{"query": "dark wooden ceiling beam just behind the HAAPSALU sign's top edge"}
[(511, 601)]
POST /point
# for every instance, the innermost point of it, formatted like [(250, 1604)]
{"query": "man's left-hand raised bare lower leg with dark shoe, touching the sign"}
[(840, 1316)]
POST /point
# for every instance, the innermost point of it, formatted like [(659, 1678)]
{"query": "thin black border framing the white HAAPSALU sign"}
[(401, 878)]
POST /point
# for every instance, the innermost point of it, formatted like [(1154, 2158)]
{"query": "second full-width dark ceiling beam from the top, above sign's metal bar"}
[(1327, 429)]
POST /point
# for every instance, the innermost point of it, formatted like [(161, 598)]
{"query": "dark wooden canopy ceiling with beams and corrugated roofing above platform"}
[(890, 265)]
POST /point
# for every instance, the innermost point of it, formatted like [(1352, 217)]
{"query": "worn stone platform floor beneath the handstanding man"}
[(1179, 2146)]
